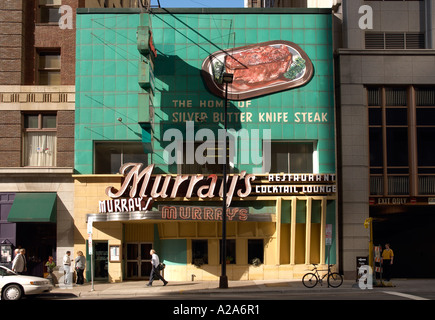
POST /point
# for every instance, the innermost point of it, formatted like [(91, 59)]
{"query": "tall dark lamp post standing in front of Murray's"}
[(223, 280)]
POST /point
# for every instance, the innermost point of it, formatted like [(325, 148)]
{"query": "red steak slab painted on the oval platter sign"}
[(259, 64)]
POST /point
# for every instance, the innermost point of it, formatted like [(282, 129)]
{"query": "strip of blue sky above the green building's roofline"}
[(199, 3)]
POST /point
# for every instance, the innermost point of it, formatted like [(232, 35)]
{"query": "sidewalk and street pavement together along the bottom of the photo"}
[(406, 289)]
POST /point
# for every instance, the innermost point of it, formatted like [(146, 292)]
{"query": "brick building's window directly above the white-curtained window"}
[(49, 67)]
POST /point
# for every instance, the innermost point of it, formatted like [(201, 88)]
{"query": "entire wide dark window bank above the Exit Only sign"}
[(402, 127)]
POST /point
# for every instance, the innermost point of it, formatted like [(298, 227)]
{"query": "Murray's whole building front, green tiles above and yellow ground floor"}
[(118, 99)]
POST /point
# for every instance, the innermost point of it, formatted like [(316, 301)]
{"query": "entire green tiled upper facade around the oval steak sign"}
[(107, 78)]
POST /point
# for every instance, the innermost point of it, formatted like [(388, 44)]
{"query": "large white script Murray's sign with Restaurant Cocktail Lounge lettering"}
[(140, 187)]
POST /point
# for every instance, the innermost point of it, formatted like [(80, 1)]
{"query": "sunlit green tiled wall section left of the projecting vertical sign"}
[(106, 83)]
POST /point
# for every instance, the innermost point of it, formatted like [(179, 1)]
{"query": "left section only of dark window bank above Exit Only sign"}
[(388, 140)]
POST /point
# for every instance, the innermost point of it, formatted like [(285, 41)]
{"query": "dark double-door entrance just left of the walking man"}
[(138, 260)]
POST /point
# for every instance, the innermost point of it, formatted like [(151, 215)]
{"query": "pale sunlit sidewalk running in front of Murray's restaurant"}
[(139, 288)]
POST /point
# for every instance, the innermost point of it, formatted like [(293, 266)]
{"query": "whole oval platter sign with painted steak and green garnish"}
[(258, 69)]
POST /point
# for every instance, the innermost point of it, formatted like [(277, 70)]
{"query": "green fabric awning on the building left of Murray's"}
[(33, 207)]
